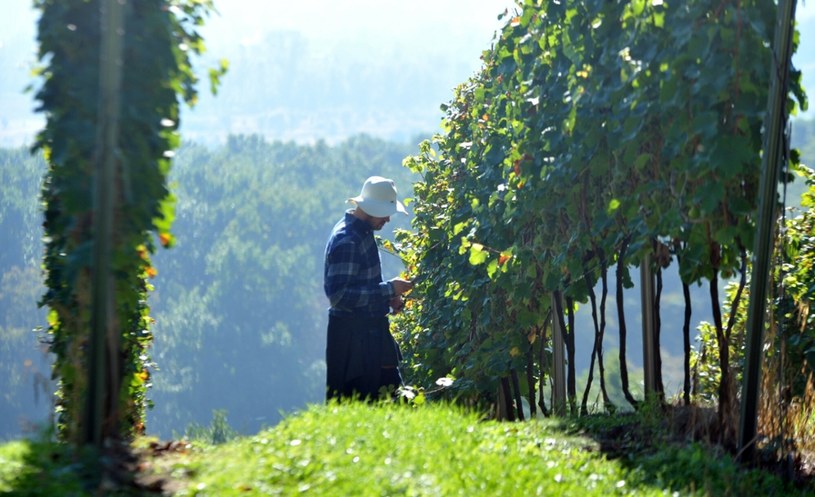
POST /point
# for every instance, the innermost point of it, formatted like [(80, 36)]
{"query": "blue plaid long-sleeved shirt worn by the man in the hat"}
[(353, 272)]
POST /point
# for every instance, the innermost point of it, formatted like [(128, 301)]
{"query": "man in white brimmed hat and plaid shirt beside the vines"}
[(361, 355)]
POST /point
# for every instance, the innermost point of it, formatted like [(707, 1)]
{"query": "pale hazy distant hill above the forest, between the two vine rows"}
[(287, 86)]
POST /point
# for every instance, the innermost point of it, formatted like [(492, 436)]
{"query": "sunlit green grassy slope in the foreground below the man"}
[(362, 450)]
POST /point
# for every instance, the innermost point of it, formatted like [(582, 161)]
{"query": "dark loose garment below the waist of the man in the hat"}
[(361, 357)]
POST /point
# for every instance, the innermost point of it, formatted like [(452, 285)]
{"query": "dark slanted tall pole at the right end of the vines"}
[(774, 124)]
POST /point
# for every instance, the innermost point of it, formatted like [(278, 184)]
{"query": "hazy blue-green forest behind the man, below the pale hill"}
[(238, 302)]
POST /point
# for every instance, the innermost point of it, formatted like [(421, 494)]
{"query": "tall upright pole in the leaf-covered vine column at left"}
[(102, 397)]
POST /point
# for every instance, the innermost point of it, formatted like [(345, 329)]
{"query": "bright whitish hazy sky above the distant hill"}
[(463, 26)]
